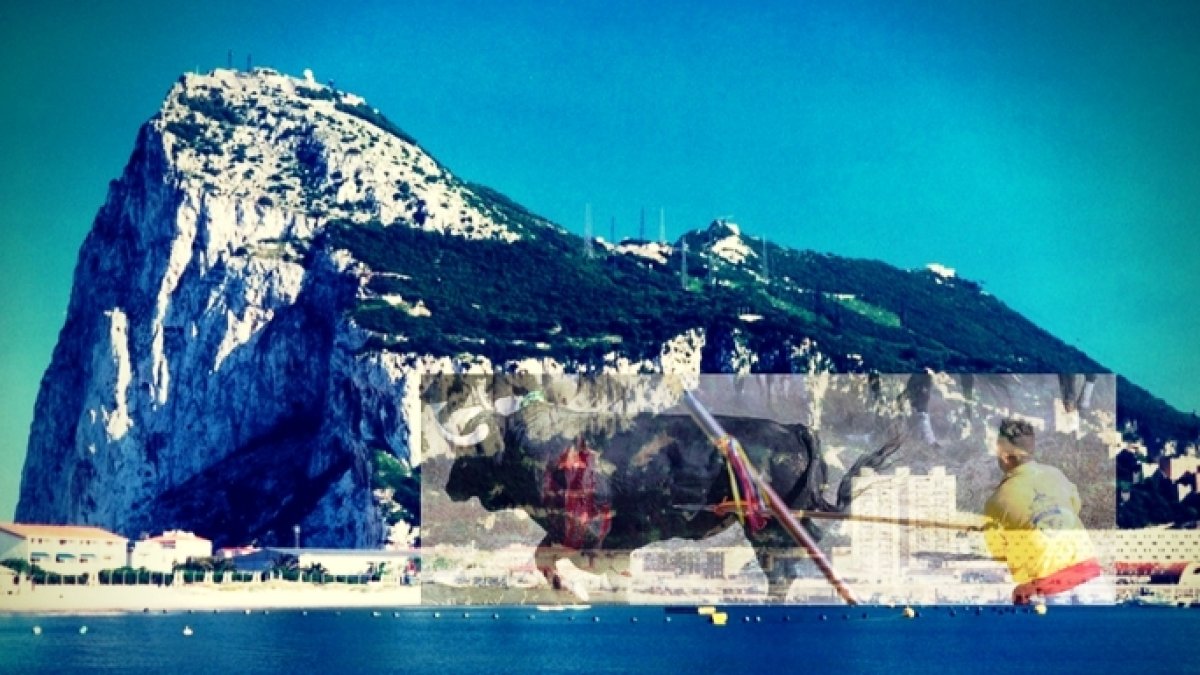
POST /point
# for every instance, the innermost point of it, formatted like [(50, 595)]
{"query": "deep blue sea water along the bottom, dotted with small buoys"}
[(610, 640)]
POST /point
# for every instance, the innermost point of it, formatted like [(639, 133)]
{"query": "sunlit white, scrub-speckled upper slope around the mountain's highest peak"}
[(313, 154)]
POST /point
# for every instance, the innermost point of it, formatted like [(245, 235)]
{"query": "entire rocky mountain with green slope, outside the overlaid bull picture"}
[(280, 265)]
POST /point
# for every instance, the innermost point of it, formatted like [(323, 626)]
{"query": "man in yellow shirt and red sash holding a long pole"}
[(1035, 528)]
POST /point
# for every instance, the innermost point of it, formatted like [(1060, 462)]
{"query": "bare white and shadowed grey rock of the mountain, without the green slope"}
[(209, 375)]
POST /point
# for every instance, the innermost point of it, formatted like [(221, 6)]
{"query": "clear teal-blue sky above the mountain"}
[(1048, 150)]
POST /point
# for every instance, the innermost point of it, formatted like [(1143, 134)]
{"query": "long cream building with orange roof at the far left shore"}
[(63, 549)]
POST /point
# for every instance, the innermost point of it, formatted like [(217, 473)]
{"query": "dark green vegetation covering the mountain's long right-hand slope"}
[(543, 297)]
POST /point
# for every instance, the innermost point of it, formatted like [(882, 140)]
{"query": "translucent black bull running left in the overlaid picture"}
[(655, 475)]
